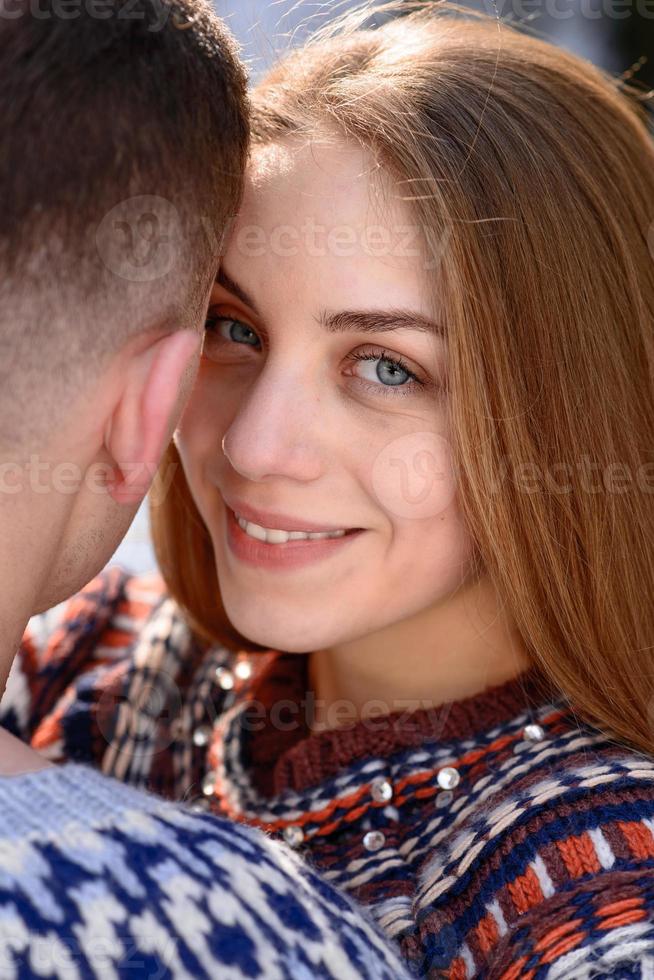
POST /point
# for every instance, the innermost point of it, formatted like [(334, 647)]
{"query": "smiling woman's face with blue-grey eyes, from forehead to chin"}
[(321, 377)]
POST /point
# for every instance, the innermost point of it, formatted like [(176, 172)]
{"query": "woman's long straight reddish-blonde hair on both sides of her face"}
[(536, 170)]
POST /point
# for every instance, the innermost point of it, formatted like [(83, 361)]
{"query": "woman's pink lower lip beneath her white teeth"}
[(290, 554)]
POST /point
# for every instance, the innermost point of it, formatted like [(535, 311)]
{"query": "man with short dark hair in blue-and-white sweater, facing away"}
[(124, 140)]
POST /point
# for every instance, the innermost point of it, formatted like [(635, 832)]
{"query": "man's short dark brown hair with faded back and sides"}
[(124, 139)]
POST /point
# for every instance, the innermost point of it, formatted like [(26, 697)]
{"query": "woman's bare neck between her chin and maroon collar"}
[(452, 650)]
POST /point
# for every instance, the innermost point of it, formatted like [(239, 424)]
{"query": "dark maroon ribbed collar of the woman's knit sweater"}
[(266, 750)]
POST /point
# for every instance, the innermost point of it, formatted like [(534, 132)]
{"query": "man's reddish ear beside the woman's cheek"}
[(157, 382)]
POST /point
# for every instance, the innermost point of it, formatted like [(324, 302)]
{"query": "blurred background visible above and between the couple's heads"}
[(618, 35)]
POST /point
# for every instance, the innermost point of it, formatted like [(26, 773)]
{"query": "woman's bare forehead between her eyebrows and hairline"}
[(322, 220)]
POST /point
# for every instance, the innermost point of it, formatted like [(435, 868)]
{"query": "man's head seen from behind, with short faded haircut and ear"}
[(125, 133)]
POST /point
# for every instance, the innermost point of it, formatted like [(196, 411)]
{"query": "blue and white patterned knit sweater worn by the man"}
[(101, 880)]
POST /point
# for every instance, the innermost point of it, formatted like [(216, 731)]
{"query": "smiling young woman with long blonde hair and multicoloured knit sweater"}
[(406, 524)]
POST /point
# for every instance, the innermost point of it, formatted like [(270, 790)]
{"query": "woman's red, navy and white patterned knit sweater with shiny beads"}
[(493, 837)]
